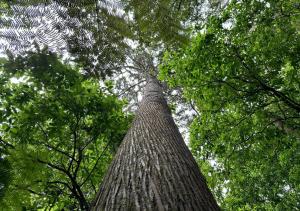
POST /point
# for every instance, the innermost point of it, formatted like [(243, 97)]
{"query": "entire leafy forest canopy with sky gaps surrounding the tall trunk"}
[(72, 76)]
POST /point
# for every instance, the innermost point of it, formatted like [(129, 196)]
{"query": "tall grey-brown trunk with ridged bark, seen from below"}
[(153, 168)]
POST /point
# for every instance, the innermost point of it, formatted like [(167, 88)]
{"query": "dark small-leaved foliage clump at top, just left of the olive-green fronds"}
[(98, 44)]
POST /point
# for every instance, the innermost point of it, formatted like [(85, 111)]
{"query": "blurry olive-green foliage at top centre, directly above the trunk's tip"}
[(159, 21)]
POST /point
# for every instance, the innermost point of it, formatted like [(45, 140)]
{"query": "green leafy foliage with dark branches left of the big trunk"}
[(58, 130)]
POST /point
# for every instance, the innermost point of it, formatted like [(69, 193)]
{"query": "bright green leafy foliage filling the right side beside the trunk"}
[(242, 73)]
